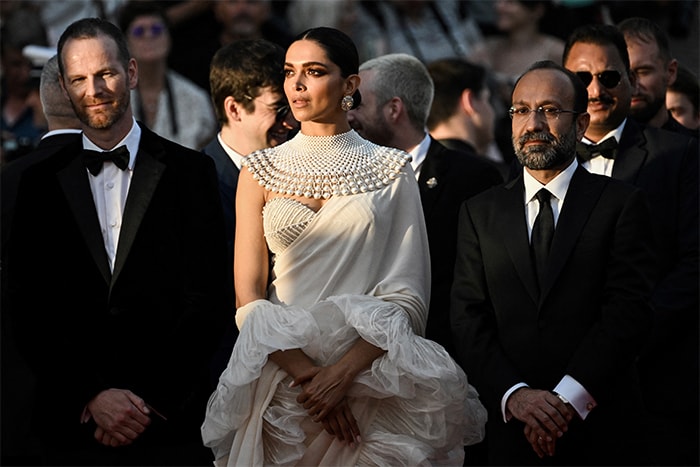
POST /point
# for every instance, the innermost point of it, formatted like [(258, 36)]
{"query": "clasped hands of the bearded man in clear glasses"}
[(545, 416)]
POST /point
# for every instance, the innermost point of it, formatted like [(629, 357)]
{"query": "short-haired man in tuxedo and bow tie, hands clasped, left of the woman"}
[(119, 305)]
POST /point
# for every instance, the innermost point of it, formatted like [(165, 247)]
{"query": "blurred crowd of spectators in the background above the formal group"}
[(174, 53)]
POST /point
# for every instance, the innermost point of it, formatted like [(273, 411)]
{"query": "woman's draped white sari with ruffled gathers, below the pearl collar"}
[(358, 268)]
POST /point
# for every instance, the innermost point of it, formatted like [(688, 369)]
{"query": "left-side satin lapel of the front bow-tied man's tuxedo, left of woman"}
[(74, 181)]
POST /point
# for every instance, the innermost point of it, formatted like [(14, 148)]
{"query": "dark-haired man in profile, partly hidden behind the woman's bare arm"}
[(246, 83)]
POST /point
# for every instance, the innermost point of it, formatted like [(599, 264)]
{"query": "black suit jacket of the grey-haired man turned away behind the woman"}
[(447, 178)]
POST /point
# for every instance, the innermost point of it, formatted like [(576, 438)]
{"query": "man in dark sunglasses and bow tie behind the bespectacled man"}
[(665, 166)]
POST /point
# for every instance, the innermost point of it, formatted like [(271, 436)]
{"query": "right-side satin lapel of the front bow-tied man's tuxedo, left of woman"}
[(147, 173)]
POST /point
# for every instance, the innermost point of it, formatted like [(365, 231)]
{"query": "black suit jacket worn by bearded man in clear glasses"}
[(589, 321)]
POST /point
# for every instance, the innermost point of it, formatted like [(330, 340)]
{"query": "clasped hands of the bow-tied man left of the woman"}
[(120, 415)]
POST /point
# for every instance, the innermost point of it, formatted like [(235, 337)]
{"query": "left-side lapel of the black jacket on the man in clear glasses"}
[(514, 229)]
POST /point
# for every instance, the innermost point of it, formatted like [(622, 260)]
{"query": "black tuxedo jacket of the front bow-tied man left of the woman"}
[(152, 325)]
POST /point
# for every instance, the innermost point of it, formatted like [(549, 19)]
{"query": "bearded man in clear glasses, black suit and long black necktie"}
[(550, 303)]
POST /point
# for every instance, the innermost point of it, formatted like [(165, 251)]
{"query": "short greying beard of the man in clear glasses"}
[(545, 156)]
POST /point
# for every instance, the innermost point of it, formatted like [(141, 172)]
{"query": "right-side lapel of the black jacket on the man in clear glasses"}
[(581, 198)]
